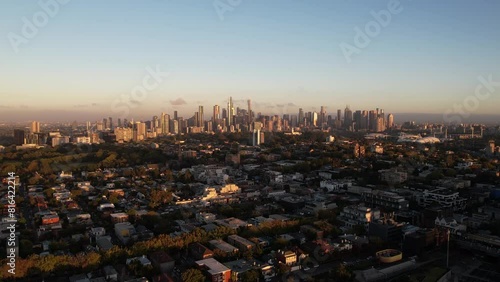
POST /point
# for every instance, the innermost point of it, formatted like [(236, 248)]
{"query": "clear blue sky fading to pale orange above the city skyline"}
[(88, 59)]
